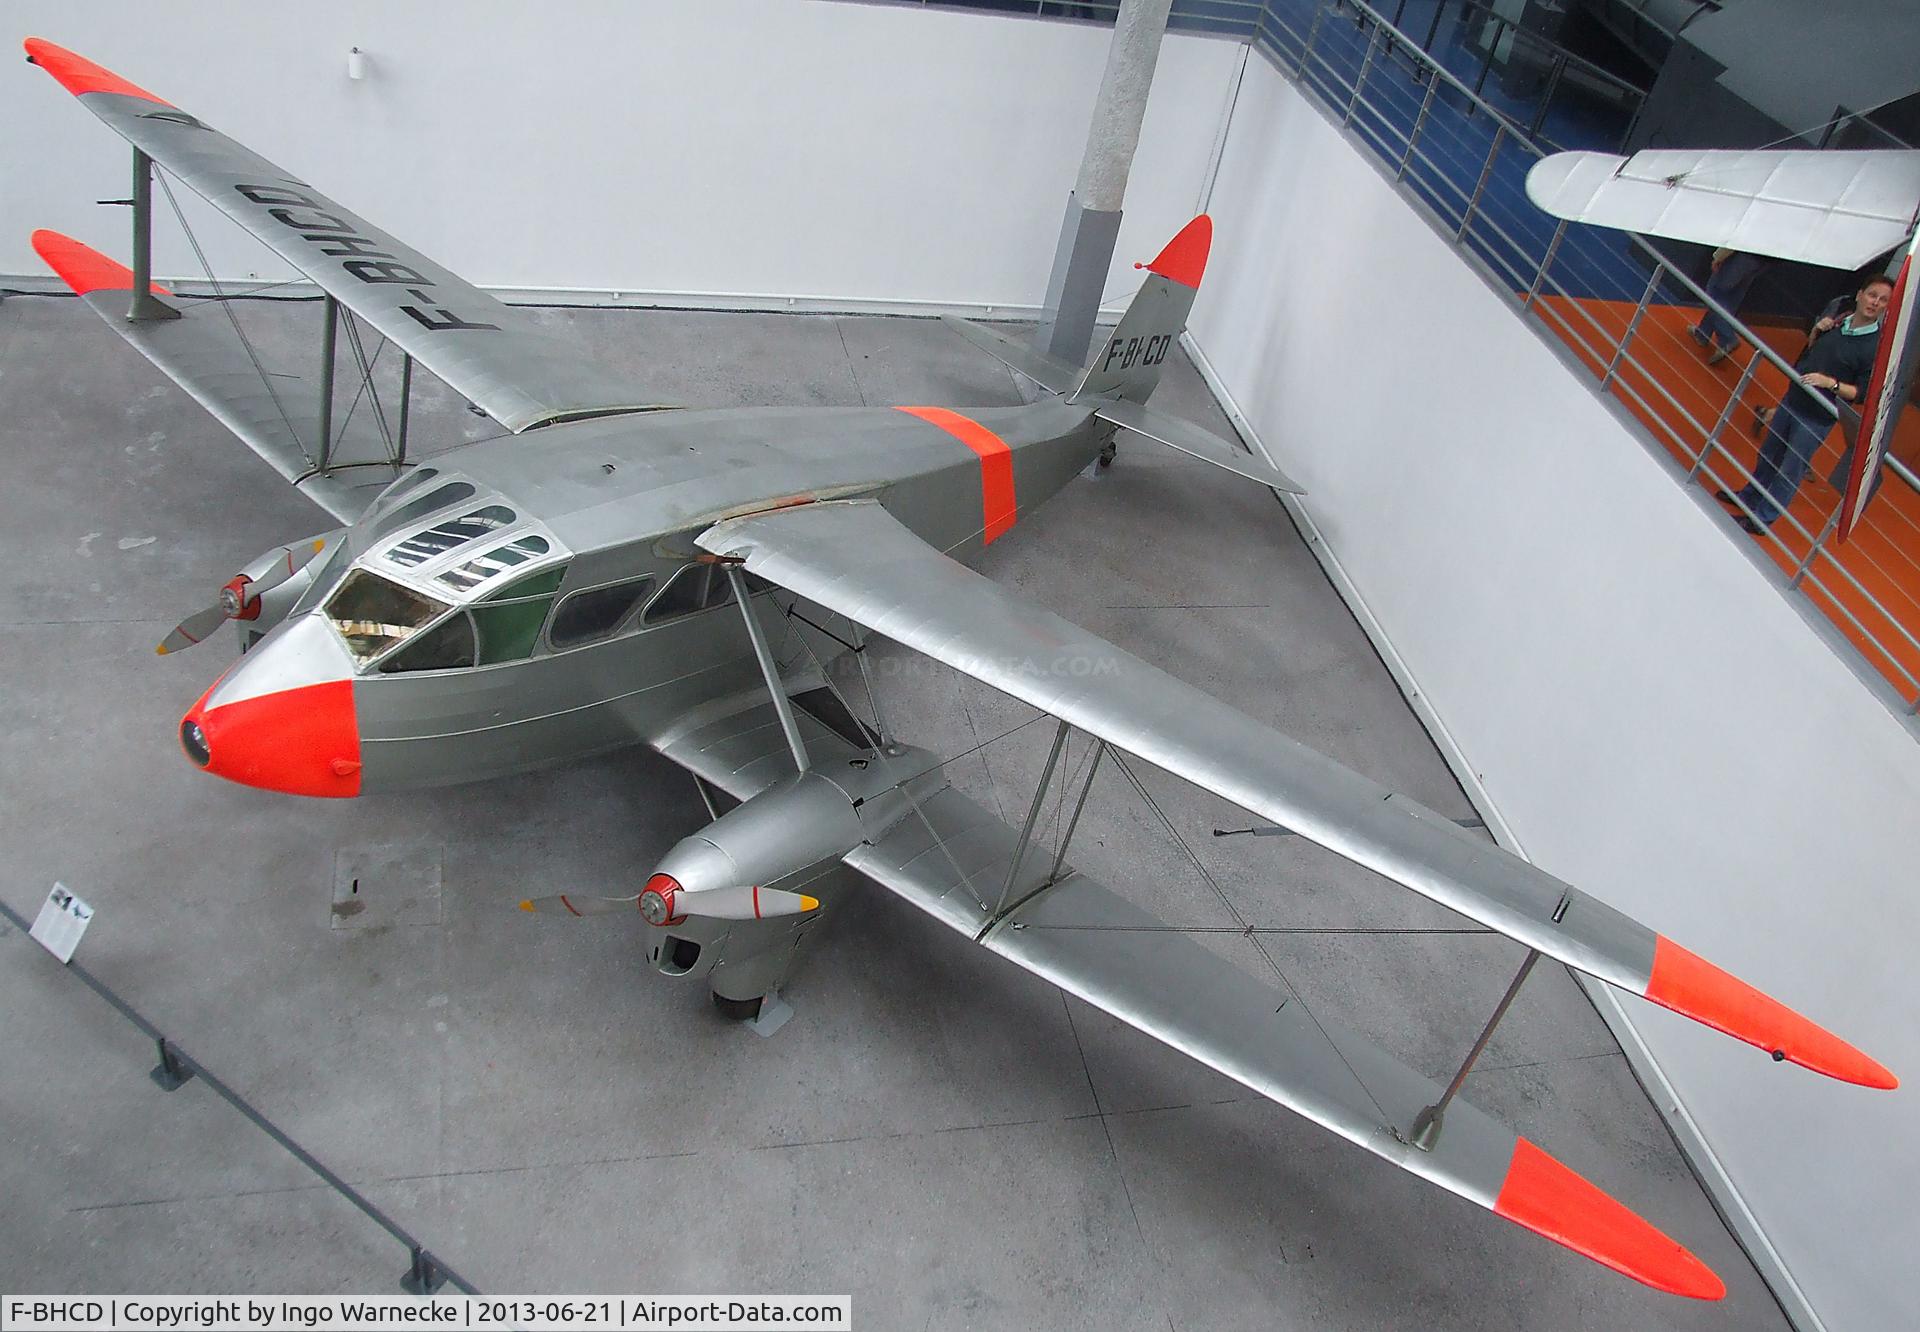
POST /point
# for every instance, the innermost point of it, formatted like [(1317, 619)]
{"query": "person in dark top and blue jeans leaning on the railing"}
[(1838, 360)]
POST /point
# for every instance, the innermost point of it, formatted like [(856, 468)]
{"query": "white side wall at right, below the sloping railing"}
[(1644, 709)]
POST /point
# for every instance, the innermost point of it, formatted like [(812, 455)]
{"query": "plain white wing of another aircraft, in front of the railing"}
[(1829, 208)]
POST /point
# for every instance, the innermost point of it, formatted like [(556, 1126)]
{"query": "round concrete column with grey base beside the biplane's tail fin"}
[(1093, 210)]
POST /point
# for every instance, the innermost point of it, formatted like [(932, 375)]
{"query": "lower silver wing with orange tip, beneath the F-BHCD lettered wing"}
[(277, 416)]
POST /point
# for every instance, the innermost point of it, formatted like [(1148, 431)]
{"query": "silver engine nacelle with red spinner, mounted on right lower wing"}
[(800, 822)]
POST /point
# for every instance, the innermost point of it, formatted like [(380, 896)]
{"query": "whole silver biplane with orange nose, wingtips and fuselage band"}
[(610, 575)]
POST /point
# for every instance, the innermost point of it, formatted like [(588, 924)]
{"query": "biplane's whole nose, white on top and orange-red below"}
[(283, 717)]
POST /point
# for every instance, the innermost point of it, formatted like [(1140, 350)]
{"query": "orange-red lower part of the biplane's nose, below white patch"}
[(302, 742)]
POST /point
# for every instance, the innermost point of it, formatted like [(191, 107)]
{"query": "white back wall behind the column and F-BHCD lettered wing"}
[(763, 149)]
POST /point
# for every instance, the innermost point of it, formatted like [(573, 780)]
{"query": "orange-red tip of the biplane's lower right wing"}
[(1548, 1199)]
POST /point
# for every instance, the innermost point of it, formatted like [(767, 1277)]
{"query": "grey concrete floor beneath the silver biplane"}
[(938, 1135)]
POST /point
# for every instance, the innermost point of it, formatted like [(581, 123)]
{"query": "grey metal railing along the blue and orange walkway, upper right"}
[(1612, 298)]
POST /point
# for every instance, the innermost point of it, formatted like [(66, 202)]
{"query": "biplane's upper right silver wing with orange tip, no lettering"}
[(859, 561)]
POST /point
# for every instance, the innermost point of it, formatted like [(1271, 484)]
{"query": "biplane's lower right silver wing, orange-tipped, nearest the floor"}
[(953, 857)]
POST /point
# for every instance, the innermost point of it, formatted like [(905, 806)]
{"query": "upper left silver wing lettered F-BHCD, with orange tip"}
[(491, 354)]
